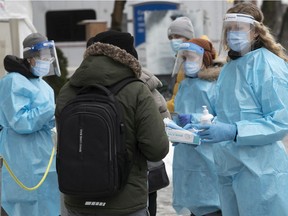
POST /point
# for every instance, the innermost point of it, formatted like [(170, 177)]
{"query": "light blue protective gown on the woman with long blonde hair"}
[(252, 92)]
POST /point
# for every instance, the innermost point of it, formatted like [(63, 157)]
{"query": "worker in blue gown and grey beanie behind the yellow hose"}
[(26, 118)]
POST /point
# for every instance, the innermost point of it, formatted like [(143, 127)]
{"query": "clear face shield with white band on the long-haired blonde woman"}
[(237, 34)]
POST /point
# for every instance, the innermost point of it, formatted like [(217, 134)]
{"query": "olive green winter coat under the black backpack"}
[(145, 134)]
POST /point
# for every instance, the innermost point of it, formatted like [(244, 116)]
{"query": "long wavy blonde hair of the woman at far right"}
[(265, 36)]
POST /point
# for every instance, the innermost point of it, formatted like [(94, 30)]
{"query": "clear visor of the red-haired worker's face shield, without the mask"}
[(188, 52)]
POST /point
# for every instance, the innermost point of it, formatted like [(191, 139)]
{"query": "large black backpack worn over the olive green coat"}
[(92, 158)]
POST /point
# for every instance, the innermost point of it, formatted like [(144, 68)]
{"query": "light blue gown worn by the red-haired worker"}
[(194, 174)]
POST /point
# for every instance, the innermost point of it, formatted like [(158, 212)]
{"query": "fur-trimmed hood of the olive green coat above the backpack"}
[(105, 64)]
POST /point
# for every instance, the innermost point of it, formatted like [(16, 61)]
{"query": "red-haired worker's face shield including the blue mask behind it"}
[(190, 56)]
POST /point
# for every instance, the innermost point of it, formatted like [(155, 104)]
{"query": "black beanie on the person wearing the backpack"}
[(123, 40)]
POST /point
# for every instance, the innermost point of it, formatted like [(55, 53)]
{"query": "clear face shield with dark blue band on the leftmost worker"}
[(45, 51)]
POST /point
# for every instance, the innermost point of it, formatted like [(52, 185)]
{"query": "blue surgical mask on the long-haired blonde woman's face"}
[(238, 40)]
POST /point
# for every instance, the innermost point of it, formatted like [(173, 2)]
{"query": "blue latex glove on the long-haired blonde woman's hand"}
[(217, 132)]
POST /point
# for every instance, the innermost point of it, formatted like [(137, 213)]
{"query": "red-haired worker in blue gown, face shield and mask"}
[(194, 175)]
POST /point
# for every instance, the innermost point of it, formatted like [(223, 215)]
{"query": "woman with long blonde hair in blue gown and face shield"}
[(252, 118)]
